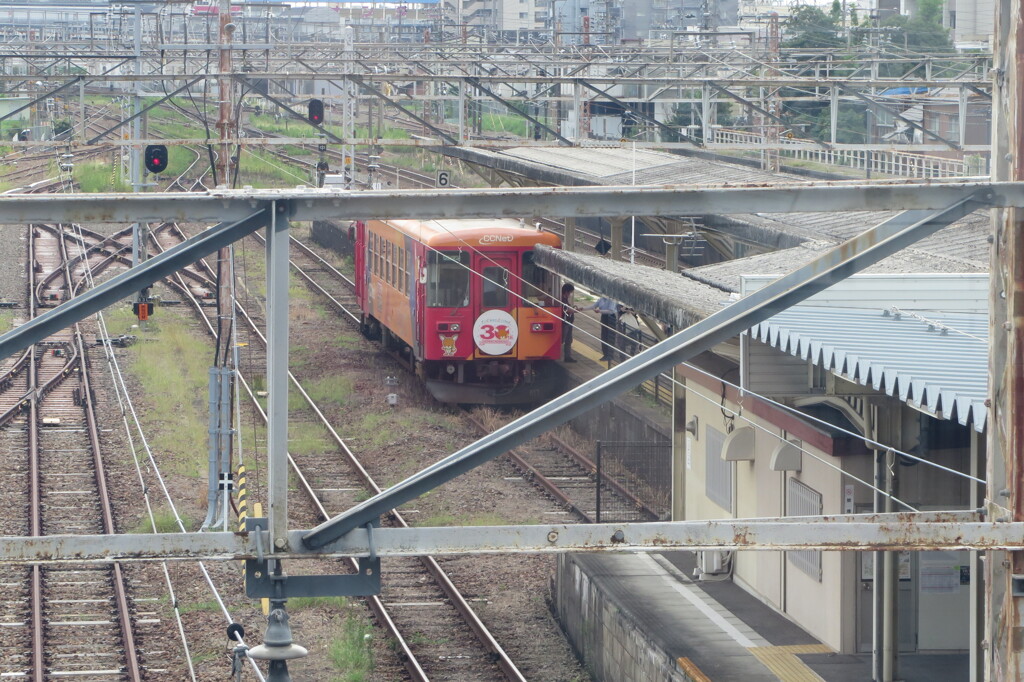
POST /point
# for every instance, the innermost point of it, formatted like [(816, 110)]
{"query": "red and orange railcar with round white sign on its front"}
[(465, 304)]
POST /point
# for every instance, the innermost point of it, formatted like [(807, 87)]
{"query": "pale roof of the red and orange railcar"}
[(476, 233)]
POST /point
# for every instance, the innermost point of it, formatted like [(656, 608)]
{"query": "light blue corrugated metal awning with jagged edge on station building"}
[(943, 373)]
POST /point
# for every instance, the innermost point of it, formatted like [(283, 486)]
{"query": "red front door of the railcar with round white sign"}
[(496, 330)]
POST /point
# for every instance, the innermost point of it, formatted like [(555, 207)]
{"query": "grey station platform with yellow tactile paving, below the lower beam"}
[(680, 629)]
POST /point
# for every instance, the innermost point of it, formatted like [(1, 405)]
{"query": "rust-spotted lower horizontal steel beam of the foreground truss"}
[(859, 532)]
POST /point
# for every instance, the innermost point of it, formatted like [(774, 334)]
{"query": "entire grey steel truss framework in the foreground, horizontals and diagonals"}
[(269, 543)]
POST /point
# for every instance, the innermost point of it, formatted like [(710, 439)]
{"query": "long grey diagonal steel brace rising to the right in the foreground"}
[(841, 263)]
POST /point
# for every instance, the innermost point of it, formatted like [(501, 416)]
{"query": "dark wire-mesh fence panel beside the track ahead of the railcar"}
[(644, 470)]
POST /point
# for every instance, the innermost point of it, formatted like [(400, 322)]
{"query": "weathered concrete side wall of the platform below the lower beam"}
[(613, 647)]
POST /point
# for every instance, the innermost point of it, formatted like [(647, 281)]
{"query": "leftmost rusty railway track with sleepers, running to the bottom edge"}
[(75, 620)]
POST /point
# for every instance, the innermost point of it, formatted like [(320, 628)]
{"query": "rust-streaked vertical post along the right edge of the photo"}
[(1005, 496)]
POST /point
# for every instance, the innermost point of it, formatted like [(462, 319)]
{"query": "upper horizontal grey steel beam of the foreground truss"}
[(233, 205)]
